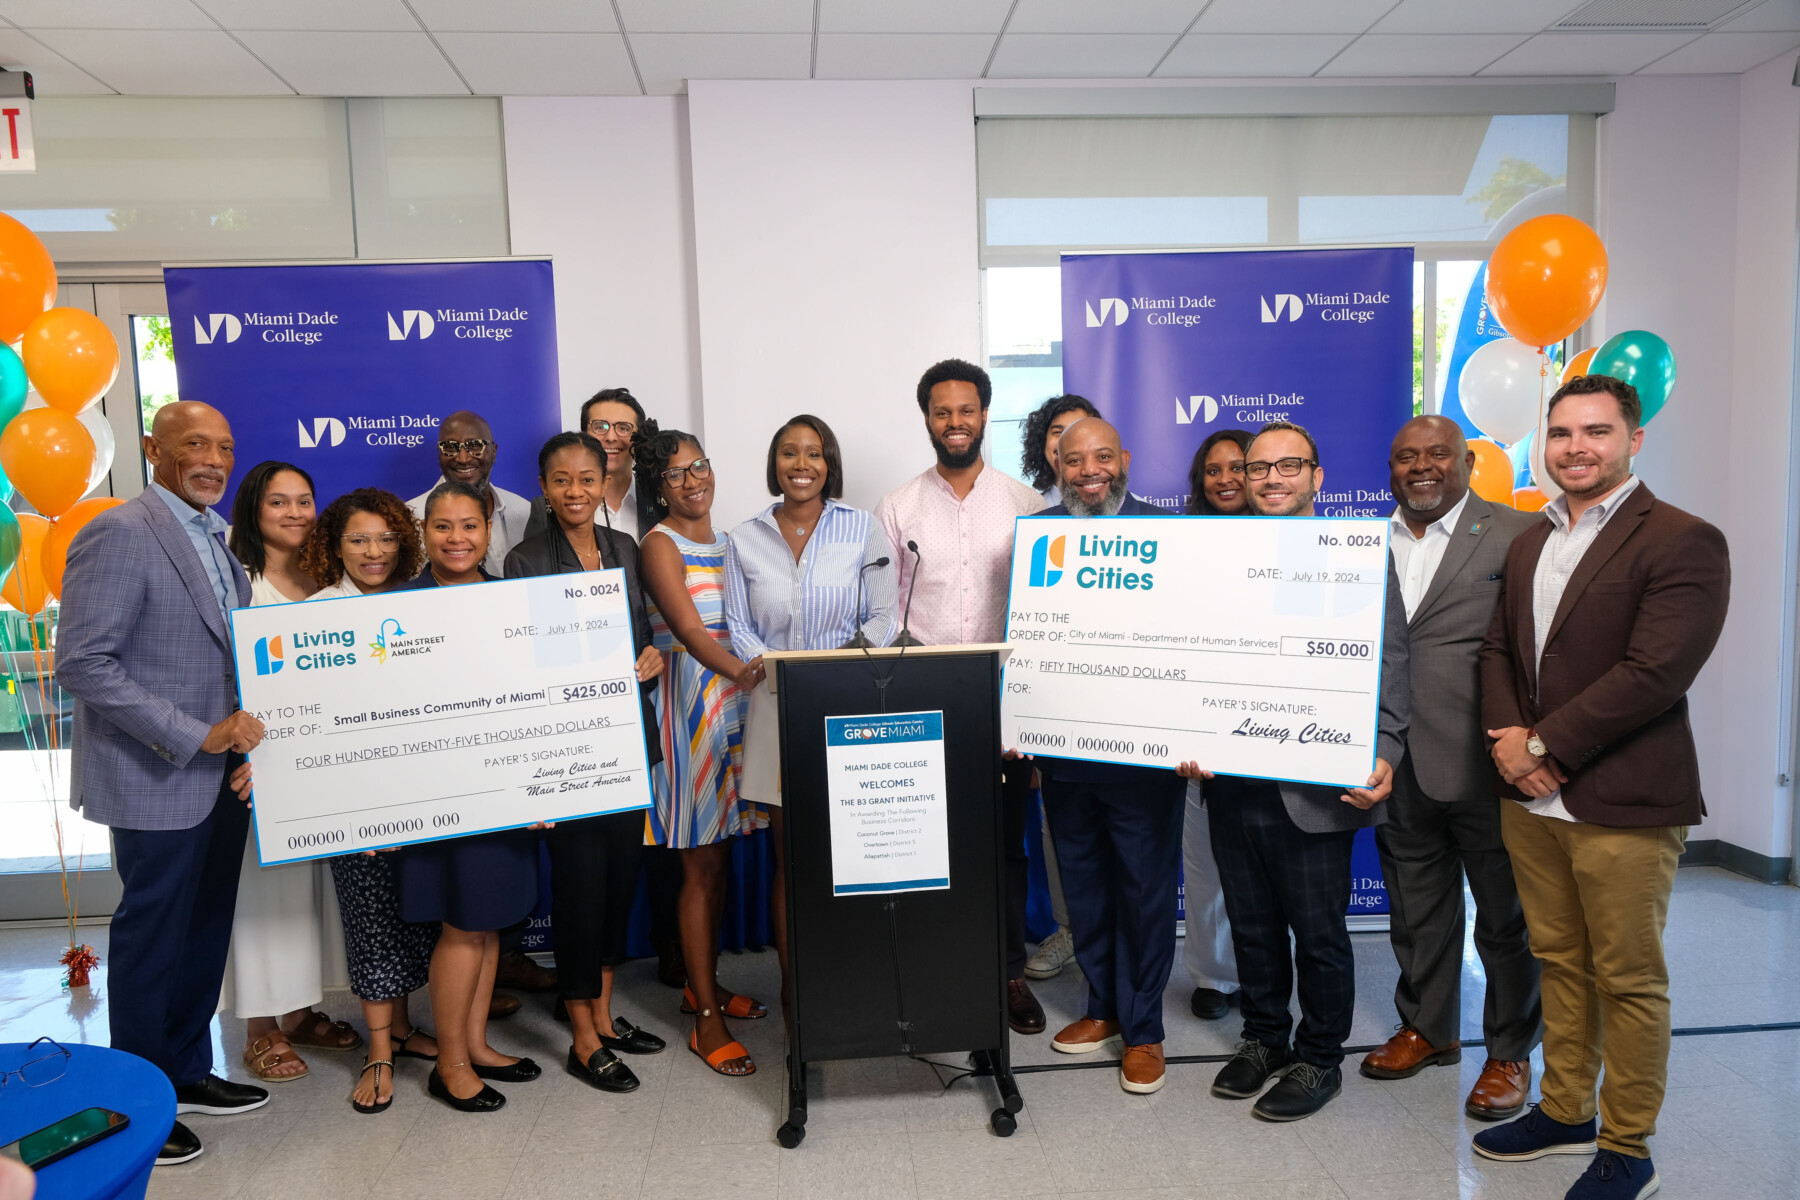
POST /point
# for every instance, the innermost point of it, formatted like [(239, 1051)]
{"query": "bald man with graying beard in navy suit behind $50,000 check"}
[(1117, 828)]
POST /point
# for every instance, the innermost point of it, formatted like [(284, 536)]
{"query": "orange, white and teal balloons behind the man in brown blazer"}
[(1543, 282)]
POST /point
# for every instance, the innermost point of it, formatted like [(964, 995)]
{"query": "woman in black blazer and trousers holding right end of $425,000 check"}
[(593, 861)]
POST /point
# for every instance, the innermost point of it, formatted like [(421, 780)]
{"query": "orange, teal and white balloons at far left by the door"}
[(58, 447)]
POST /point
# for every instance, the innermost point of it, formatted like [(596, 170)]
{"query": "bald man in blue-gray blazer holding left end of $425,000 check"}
[(159, 751)]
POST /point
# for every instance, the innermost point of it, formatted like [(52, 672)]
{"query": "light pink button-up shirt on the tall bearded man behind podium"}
[(966, 553)]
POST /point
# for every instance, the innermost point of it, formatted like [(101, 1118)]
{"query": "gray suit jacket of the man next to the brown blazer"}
[(1446, 740)]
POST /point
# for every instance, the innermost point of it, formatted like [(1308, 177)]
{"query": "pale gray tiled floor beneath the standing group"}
[(1731, 1127)]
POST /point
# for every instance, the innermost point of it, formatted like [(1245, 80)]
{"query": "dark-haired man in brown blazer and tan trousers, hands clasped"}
[(1608, 613)]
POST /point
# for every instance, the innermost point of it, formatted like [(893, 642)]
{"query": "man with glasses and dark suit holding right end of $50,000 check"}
[(1284, 854)]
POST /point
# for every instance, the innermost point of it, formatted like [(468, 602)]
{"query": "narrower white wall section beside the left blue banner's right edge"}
[(602, 186)]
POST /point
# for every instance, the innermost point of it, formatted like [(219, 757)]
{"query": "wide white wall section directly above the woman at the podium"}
[(836, 235)]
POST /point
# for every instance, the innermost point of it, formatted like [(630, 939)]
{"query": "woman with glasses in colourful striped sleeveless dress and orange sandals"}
[(699, 805)]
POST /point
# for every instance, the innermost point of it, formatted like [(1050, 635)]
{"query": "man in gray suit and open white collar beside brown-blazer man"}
[(1450, 551)]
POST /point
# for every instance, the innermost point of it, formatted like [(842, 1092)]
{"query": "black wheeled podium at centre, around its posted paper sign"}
[(906, 972)]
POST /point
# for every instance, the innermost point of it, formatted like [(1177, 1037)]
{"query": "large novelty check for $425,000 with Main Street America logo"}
[(438, 713)]
